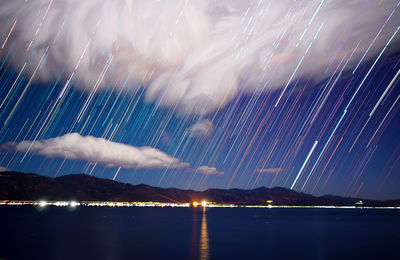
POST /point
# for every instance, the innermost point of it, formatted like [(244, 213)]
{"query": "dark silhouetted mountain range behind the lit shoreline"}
[(80, 187)]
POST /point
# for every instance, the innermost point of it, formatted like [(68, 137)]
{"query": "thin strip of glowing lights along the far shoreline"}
[(73, 204)]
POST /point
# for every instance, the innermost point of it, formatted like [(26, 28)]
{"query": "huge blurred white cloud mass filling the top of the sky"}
[(195, 55)]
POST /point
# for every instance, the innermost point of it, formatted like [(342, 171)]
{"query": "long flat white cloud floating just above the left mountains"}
[(88, 148)]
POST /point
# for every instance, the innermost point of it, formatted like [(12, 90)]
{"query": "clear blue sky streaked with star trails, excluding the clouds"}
[(319, 138)]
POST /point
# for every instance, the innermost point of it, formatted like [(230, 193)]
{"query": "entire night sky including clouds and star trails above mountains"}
[(218, 94)]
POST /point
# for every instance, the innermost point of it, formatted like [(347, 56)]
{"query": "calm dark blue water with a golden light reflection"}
[(187, 233)]
